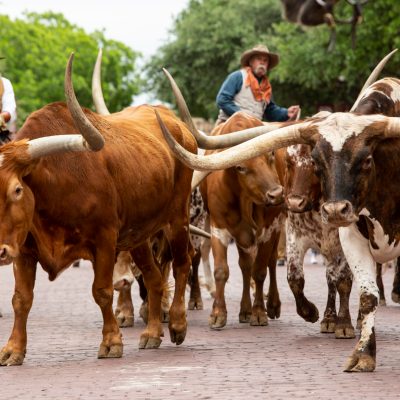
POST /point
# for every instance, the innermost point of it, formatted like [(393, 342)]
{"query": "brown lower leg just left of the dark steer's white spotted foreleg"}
[(344, 328)]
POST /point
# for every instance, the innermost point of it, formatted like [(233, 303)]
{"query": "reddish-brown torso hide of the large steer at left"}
[(99, 189)]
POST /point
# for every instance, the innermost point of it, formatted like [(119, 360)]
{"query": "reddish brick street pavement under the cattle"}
[(289, 358)]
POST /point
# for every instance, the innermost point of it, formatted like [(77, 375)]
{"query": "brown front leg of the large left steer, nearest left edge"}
[(13, 353)]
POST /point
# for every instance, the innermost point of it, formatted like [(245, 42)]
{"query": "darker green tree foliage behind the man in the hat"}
[(208, 37)]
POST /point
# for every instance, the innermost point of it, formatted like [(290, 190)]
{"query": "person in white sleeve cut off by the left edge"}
[(8, 109)]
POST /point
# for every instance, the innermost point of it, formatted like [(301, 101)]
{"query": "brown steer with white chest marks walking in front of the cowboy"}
[(245, 203)]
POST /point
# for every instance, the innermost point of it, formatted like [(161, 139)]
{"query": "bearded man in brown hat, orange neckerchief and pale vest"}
[(249, 89)]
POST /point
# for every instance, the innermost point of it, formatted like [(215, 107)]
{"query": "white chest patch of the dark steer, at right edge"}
[(386, 251)]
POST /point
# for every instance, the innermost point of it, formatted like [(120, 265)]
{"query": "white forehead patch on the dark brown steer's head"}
[(337, 128)]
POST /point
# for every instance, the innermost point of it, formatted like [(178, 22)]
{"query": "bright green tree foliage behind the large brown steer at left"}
[(36, 50)]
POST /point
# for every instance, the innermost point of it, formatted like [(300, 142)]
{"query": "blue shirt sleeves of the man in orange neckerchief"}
[(231, 86)]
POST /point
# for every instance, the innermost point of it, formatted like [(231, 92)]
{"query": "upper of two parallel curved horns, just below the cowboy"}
[(215, 142)]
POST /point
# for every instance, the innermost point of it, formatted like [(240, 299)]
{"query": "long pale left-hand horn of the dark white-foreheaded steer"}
[(282, 137)]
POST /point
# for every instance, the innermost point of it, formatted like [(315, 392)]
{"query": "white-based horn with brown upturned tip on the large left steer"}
[(91, 138)]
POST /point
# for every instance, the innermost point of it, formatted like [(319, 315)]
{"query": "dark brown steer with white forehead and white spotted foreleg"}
[(357, 158)]
